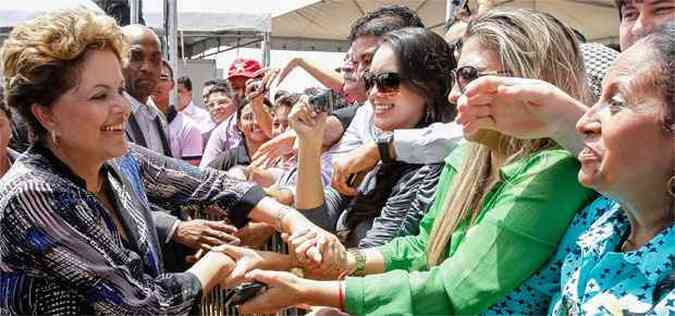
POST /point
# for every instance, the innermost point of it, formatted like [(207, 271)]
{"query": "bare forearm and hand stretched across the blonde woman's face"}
[(523, 108)]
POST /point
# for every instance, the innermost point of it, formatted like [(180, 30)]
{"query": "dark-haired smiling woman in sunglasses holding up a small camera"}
[(406, 89)]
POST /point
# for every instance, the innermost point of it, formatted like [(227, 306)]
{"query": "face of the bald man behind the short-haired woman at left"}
[(145, 65)]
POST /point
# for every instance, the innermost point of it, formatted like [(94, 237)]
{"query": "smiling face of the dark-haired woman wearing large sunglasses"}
[(401, 109)]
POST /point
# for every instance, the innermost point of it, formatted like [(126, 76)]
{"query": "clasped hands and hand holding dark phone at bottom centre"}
[(257, 280)]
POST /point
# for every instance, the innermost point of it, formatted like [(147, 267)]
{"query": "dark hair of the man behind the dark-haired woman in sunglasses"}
[(383, 20)]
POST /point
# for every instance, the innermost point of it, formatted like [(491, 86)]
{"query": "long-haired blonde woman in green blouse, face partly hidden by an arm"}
[(501, 205)]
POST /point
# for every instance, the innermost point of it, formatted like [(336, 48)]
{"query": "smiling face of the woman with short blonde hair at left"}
[(90, 118)]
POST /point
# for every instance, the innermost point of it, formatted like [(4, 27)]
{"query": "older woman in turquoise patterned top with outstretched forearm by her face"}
[(618, 255)]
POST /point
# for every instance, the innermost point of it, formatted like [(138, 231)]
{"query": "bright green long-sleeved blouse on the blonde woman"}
[(521, 222)]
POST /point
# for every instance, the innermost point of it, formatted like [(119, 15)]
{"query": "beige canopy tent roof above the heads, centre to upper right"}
[(324, 24)]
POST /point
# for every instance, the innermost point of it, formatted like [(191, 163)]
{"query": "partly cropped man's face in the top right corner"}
[(641, 17)]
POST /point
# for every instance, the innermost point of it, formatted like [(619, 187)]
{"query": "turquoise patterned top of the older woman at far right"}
[(587, 275)]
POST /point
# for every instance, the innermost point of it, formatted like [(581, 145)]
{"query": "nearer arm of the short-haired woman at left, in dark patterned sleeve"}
[(81, 251)]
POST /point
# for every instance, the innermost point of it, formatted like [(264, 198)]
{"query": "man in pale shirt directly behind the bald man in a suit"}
[(185, 136)]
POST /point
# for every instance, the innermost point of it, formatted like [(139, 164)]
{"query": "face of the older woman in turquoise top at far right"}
[(626, 146)]
